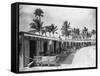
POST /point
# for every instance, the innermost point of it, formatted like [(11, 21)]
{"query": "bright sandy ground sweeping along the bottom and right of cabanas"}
[(85, 57)]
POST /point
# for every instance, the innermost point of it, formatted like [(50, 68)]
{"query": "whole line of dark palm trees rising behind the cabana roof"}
[(67, 31)]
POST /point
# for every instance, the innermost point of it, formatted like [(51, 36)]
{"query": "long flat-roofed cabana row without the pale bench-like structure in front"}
[(35, 45)]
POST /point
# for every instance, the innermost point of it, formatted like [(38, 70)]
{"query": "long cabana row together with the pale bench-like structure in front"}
[(43, 50)]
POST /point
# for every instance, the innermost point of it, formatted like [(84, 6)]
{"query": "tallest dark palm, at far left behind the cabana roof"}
[(37, 23)]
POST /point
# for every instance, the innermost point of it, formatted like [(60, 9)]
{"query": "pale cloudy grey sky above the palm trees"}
[(78, 17)]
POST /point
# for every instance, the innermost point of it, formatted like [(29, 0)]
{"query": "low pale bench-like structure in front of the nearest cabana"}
[(43, 60)]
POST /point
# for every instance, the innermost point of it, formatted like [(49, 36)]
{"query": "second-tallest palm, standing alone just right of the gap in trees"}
[(65, 28)]
